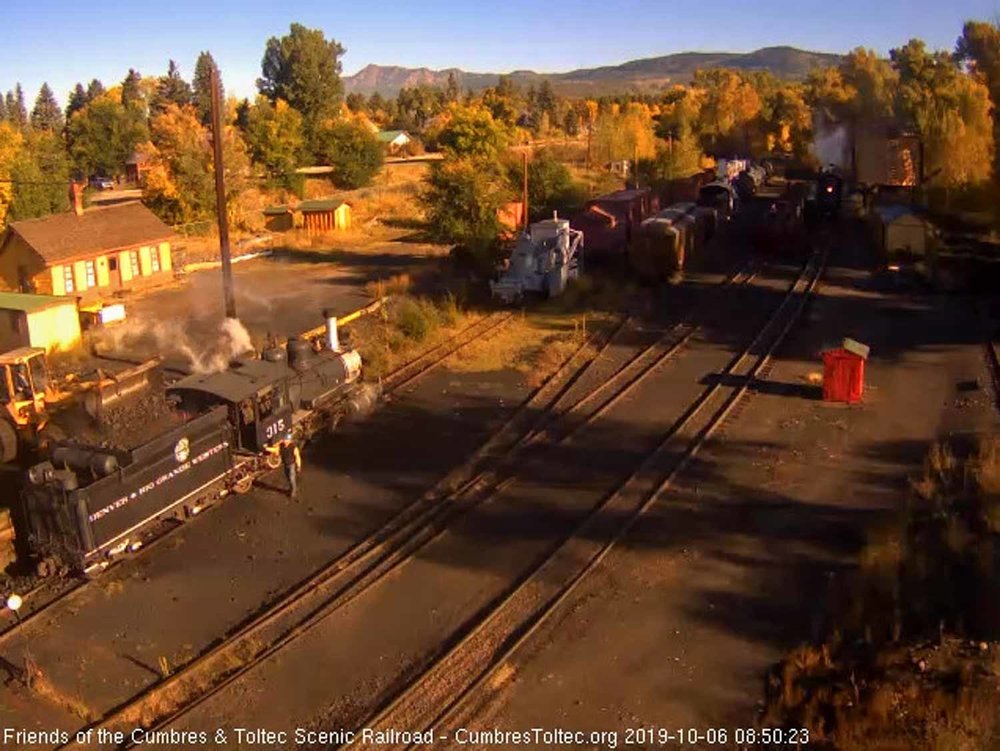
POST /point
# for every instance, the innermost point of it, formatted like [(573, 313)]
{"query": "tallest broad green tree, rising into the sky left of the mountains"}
[(303, 68)]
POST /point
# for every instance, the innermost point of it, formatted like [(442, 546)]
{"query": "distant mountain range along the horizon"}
[(648, 74)]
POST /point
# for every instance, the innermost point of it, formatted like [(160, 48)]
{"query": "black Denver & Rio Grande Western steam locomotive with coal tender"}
[(89, 503)]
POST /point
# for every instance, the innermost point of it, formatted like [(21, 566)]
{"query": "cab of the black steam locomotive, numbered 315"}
[(255, 393)]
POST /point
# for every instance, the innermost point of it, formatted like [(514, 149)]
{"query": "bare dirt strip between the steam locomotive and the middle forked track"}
[(251, 548)]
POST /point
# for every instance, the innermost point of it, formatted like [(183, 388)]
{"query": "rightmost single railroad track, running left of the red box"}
[(457, 677)]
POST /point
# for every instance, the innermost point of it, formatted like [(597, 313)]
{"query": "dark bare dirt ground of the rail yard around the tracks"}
[(676, 628)]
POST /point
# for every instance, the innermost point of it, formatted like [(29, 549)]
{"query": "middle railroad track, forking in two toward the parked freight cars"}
[(550, 412)]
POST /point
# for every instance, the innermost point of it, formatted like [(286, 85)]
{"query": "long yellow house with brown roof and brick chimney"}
[(87, 254)]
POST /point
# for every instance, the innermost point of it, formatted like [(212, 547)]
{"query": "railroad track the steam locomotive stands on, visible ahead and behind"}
[(50, 594)]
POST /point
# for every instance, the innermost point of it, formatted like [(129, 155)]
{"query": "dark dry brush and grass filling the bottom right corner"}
[(913, 659)]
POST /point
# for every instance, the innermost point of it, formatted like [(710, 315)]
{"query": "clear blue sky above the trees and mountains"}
[(61, 41)]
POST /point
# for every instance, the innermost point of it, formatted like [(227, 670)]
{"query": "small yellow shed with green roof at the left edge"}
[(45, 321)]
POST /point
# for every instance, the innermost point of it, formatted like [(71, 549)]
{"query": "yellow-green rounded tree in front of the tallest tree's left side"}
[(275, 139)]
